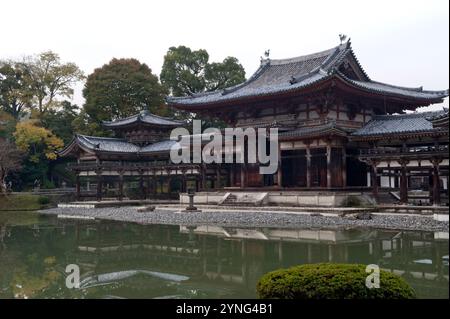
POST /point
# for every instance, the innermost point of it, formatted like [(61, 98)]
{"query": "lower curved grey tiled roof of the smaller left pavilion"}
[(114, 145)]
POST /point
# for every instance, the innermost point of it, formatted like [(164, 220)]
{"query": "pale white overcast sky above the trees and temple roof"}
[(399, 42)]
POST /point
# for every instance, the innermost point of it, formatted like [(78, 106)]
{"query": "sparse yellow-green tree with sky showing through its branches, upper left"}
[(50, 79)]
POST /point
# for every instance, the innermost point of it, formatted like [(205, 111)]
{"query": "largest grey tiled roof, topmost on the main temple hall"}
[(281, 76)]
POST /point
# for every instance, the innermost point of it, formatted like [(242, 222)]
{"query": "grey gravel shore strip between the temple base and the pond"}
[(254, 219)]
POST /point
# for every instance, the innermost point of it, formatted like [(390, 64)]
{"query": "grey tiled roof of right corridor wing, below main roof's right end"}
[(396, 124)]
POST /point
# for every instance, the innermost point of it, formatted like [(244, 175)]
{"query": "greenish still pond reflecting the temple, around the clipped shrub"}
[(126, 260)]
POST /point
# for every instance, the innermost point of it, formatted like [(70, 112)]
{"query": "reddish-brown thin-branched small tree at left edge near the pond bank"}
[(10, 160)]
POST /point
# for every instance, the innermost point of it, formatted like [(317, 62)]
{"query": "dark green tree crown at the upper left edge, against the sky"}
[(15, 88)]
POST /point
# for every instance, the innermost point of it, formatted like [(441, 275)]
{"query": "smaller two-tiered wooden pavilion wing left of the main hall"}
[(139, 154)]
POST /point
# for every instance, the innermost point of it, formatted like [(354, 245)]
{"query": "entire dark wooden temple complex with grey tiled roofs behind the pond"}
[(339, 130)]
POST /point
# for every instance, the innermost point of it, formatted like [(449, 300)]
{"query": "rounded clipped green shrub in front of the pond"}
[(330, 281)]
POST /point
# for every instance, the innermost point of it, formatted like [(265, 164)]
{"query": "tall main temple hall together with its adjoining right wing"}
[(332, 119)]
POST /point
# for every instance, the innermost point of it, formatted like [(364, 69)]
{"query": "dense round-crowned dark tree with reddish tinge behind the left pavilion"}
[(121, 88)]
